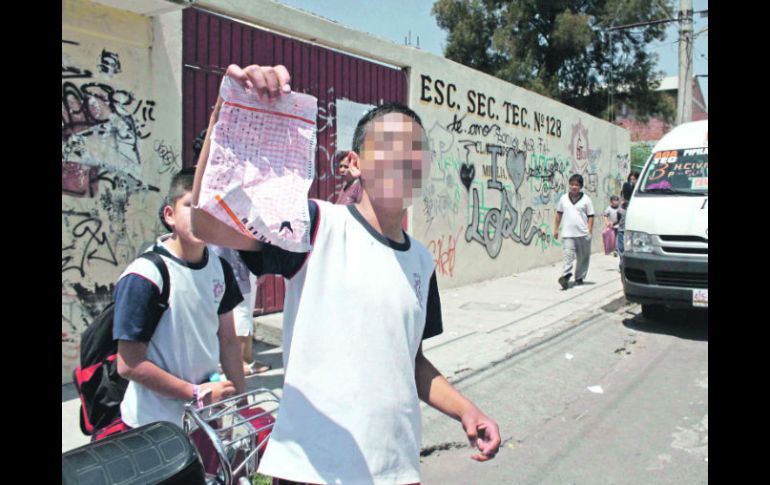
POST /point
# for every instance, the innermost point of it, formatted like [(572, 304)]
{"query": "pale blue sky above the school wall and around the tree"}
[(394, 19)]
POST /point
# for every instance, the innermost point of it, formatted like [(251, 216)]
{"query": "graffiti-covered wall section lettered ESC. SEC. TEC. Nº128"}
[(502, 156)]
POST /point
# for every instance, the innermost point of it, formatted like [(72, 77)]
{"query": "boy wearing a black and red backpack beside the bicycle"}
[(169, 361)]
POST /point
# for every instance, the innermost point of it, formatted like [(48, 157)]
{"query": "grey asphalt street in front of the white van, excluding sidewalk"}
[(650, 424)]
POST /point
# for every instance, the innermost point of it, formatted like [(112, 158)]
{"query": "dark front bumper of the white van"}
[(668, 280)]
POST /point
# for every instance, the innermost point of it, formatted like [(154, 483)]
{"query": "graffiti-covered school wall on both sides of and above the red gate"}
[(501, 155)]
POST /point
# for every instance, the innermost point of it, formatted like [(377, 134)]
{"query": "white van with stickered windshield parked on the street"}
[(666, 233)]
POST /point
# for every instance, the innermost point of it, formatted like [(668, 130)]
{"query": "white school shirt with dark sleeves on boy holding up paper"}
[(357, 308)]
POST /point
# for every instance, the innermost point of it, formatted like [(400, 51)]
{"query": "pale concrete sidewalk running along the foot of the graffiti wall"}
[(484, 323)]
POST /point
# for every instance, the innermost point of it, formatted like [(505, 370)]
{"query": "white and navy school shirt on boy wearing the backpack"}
[(185, 342)]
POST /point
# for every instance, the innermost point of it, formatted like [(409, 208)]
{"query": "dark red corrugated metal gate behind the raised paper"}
[(213, 42)]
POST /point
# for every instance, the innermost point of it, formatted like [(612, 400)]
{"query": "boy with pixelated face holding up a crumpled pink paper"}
[(354, 366)]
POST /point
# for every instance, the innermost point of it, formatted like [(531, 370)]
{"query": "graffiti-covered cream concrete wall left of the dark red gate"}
[(121, 139)]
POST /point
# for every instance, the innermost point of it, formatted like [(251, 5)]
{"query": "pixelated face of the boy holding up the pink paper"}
[(394, 155)]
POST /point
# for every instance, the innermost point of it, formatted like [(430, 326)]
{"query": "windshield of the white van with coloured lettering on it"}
[(679, 172)]
